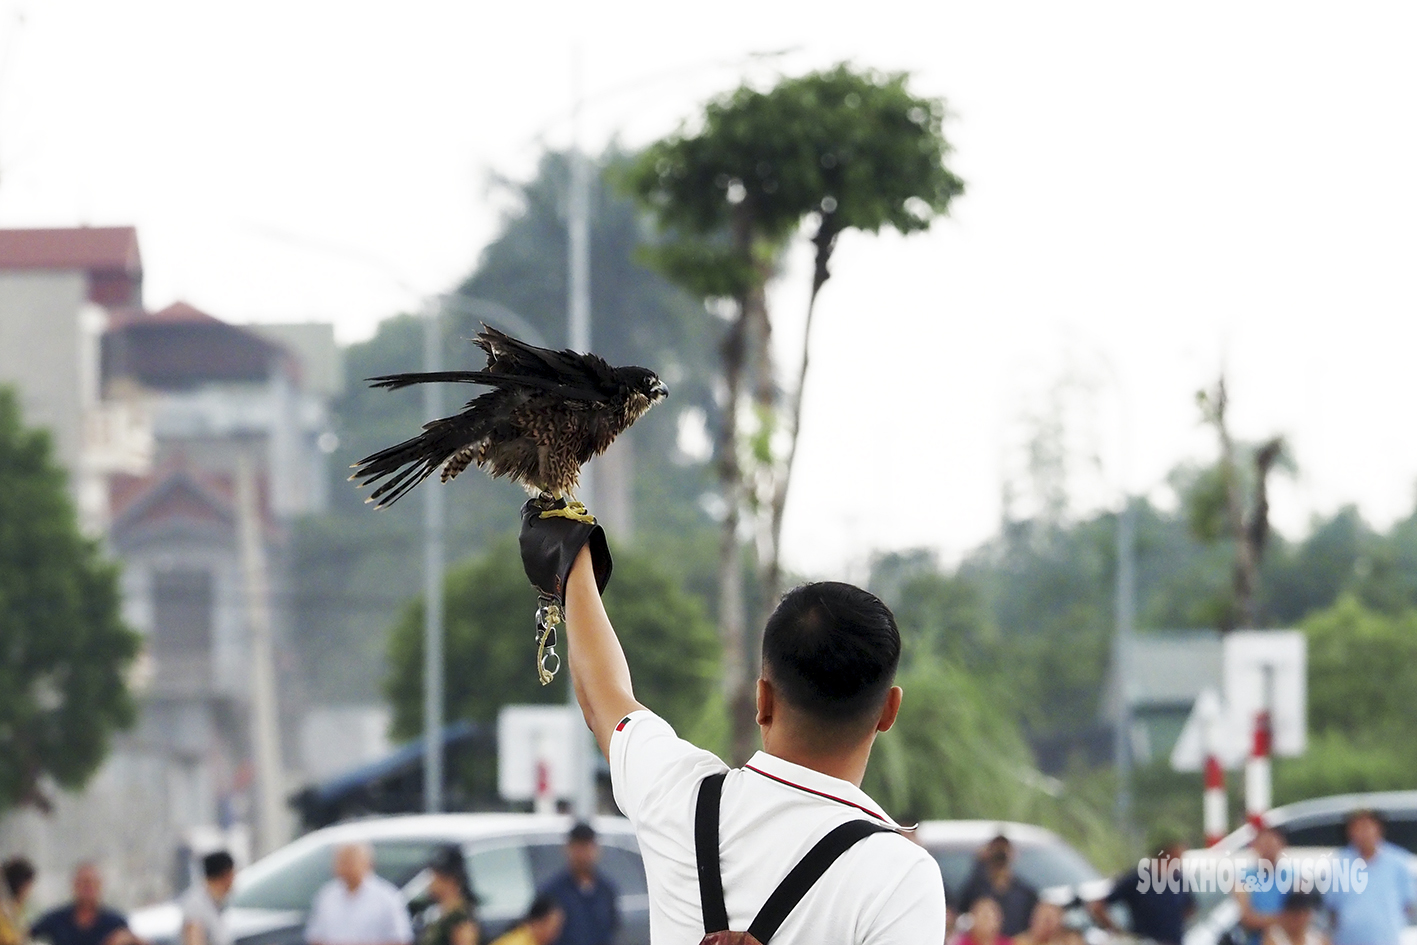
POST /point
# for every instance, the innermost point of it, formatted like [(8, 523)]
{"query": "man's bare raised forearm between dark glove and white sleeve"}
[(599, 668)]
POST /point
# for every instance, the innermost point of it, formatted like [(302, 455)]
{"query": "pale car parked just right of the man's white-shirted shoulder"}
[(1042, 859)]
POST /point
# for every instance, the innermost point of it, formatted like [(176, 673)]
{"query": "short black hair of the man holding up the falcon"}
[(831, 651)]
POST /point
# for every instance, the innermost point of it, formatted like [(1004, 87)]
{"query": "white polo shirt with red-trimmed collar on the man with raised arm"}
[(886, 890)]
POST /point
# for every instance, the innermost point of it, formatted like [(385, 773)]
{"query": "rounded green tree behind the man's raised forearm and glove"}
[(671, 645)]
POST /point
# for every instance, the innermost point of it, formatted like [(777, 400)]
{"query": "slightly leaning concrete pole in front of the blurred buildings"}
[(266, 730)]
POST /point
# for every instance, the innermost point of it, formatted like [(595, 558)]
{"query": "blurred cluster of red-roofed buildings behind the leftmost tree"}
[(159, 419)]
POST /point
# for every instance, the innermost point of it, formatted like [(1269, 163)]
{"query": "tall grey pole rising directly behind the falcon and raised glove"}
[(579, 332)]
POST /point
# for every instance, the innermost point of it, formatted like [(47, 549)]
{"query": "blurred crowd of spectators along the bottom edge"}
[(580, 905)]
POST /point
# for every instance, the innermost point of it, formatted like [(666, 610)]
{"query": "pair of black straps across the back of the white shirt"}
[(793, 888)]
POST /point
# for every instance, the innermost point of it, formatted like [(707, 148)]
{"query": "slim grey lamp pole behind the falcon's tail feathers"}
[(433, 582)]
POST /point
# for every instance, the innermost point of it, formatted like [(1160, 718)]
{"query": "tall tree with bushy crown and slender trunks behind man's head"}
[(845, 149)]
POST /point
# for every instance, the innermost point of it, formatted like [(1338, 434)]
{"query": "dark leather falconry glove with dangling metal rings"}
[(551, 546)]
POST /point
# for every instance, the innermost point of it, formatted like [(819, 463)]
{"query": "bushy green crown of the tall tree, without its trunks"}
[(854, 148)]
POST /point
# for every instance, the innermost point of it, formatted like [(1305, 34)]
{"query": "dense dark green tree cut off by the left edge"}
[(63, 678)]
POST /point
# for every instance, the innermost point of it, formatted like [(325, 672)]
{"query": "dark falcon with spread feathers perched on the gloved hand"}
[(548, 414)]
